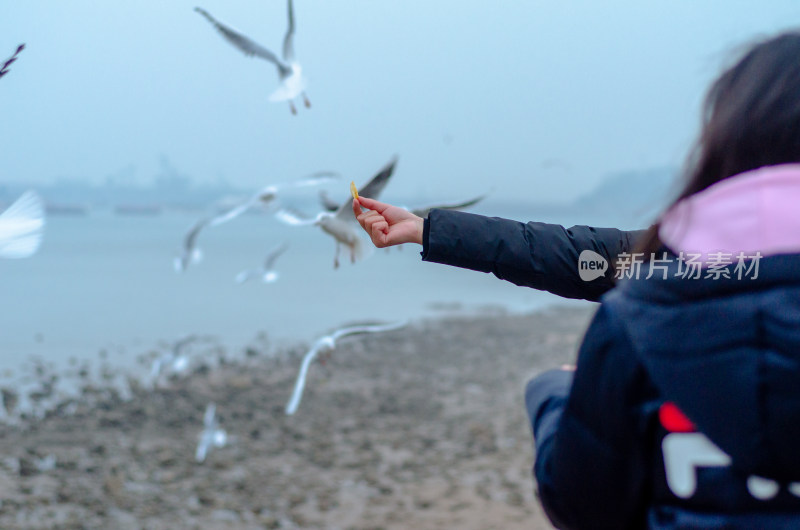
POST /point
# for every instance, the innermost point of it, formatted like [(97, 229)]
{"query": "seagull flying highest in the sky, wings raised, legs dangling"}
[(290, 72)]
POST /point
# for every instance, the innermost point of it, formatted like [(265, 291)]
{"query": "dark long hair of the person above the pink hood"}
[(751, 119)]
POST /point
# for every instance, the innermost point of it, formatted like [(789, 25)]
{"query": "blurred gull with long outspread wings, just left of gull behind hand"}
[(264, 197)]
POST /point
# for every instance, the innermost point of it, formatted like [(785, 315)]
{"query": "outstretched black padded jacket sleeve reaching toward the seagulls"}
[(538, 255)]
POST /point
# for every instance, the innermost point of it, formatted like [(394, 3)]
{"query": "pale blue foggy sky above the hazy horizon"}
[(535, 99)]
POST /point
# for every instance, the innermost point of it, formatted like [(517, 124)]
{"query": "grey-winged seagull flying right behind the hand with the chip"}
[(341, 224)]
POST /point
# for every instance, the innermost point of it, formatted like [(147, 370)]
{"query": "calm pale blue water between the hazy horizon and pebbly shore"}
[(106, 282)]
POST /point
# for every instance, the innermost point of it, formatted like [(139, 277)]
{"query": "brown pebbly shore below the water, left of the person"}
[(419, 428)]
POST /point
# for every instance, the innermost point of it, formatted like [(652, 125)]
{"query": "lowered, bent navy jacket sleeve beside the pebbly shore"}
[(591, 465)]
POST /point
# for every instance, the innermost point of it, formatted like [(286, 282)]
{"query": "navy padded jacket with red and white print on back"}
[(684, 411)]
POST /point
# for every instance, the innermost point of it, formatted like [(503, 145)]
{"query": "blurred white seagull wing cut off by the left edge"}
[(21, 226)]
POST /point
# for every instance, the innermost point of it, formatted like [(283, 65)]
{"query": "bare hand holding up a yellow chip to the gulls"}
[(387, 225)]
